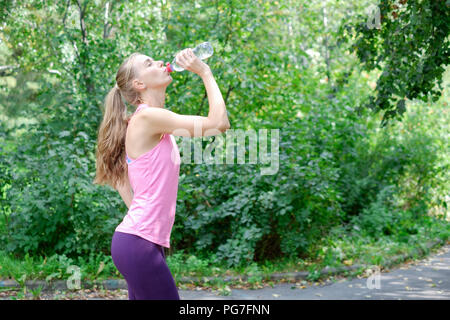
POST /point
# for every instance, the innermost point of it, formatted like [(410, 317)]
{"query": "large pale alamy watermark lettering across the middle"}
[(229, 146)]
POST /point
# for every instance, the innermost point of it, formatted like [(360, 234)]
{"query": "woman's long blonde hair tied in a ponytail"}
[(111, 167)]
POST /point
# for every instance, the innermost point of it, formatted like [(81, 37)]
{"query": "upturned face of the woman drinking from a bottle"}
[(151, 73)]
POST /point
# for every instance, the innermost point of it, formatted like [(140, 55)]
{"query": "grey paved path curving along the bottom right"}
[(425, 279)]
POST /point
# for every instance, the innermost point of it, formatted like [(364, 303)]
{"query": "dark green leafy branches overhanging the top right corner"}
[(408, 40)]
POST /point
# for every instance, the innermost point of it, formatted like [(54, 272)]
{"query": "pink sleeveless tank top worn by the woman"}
[(154, 180)]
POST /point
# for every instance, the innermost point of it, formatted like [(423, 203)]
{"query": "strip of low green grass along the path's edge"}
[(342, 247)]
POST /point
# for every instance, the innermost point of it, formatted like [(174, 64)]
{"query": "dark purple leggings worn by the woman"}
[(143, 265)]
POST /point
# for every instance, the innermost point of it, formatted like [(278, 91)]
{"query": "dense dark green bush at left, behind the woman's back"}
[(54, 208)]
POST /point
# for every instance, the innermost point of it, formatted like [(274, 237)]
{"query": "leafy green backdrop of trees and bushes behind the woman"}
[(278, 68)]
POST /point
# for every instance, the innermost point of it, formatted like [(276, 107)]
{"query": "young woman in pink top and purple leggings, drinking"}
[(138, 156)]
